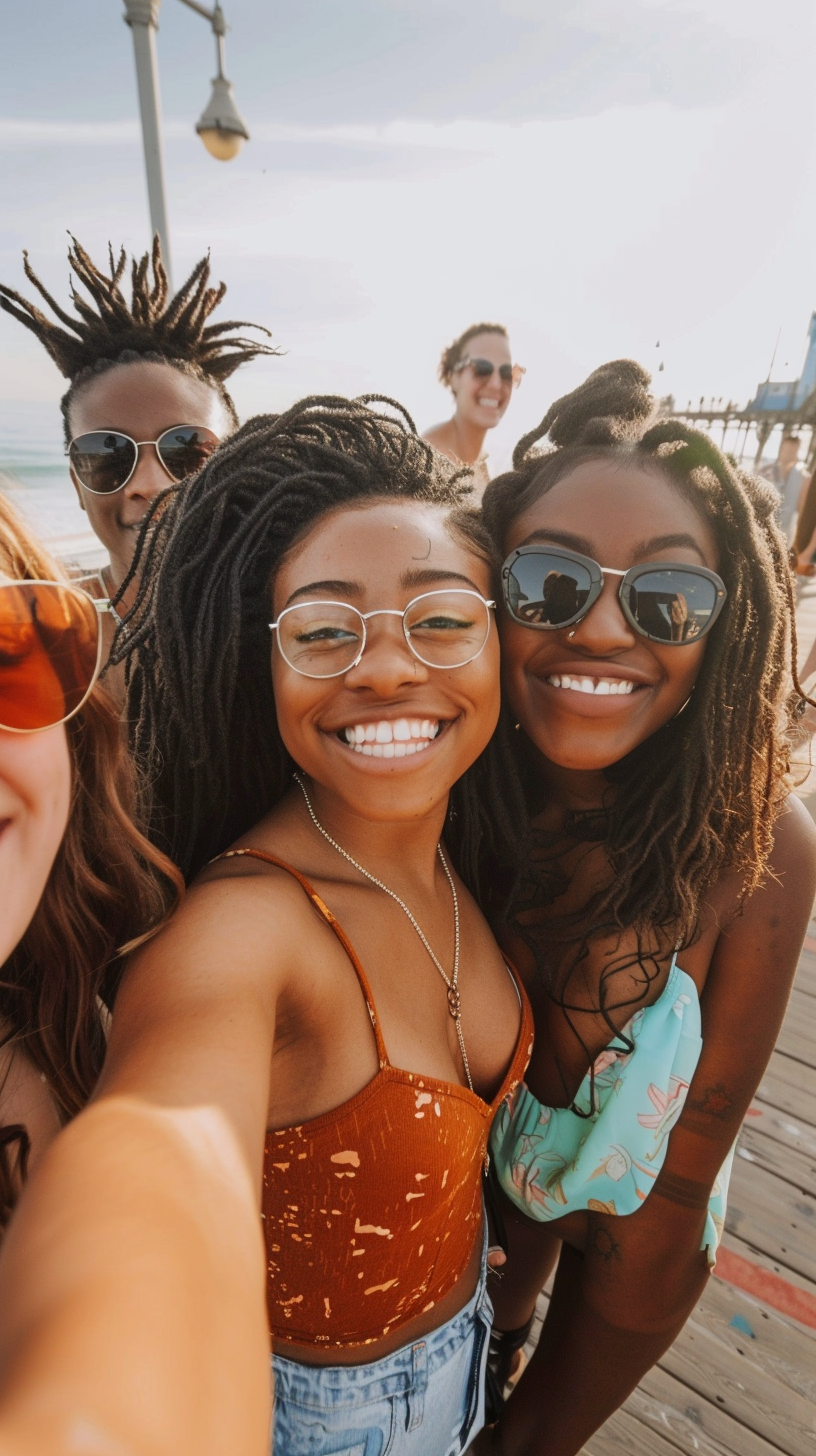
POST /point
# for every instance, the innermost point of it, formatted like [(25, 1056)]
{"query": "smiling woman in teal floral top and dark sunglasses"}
[(667, 889)]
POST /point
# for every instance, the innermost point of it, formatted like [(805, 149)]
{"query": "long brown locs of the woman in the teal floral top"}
[(700, 797)]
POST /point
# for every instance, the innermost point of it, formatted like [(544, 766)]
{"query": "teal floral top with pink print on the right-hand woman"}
[(552, 1163)]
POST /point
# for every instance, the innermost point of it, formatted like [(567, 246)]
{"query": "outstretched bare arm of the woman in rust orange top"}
[(132, 1281)]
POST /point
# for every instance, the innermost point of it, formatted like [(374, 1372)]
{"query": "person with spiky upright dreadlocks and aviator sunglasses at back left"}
[(146, 403)]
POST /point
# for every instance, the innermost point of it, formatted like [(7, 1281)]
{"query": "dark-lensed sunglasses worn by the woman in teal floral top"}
[(550, 589)]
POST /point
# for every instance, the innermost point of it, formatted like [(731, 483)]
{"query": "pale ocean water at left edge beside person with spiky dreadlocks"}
[(34, 475)]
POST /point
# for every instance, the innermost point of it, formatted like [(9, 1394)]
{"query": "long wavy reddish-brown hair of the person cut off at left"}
[(109, 890)]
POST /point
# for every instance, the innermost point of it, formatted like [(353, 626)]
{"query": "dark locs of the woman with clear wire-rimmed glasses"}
[(197, 641)]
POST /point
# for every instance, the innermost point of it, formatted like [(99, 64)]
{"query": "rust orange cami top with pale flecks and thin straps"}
[(372, 1211)]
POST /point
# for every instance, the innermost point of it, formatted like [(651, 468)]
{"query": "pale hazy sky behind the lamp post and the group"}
[(608, 178)]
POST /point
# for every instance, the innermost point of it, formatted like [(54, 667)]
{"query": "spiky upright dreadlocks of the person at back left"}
[(154, 327)]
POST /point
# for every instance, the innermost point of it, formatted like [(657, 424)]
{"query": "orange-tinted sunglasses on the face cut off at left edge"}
[(50, 653)]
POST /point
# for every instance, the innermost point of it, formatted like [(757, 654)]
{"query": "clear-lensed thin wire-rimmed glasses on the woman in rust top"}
[(329, 638)]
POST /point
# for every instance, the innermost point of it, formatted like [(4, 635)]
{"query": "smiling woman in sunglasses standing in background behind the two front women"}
[(479, 371)]
